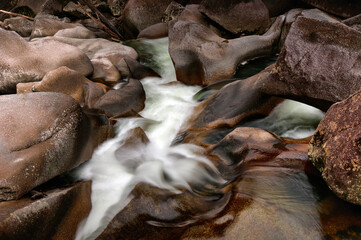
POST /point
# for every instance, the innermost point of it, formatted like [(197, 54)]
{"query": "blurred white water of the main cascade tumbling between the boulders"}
[(115, 169)]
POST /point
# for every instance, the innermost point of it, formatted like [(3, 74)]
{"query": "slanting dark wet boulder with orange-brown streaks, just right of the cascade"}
[(230, 106)]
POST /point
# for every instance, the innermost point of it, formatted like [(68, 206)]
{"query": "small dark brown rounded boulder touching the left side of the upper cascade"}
[(126, 101)]
